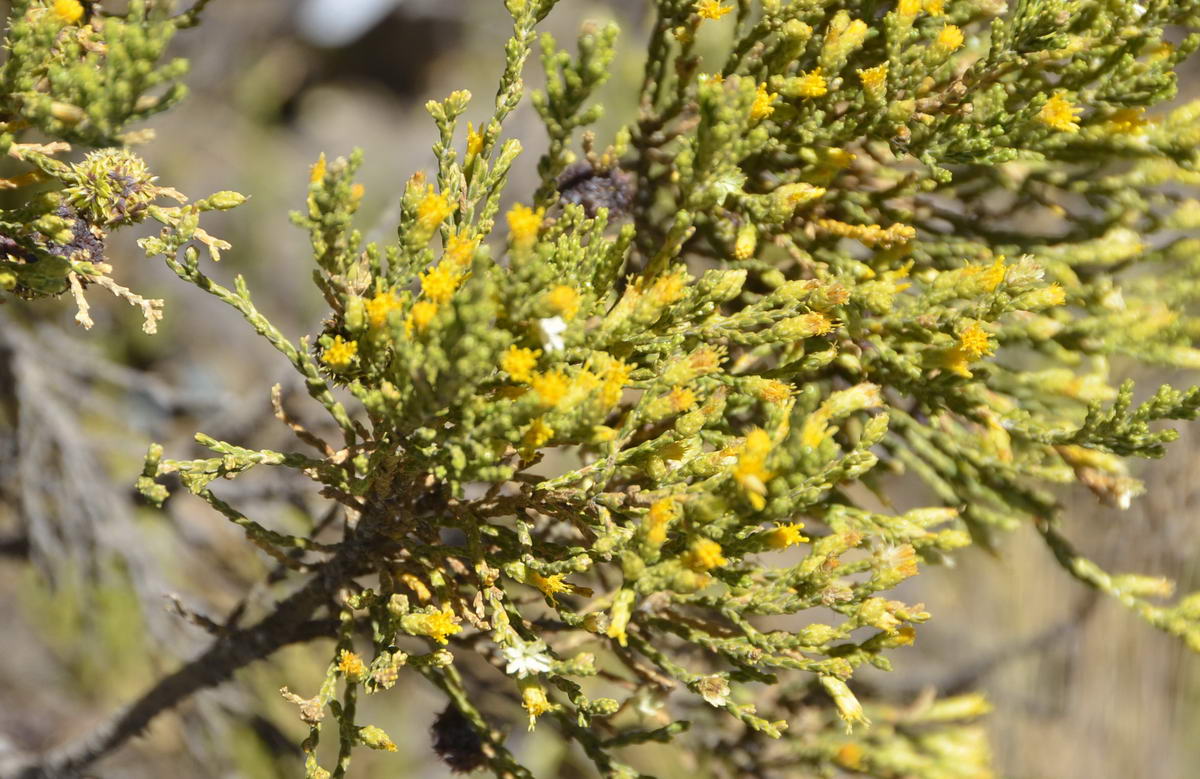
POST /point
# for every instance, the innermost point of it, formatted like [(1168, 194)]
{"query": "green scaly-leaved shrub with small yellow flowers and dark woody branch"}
[(585, 446)]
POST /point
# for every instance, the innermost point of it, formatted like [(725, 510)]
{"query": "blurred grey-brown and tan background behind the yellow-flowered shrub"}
[(91, 580)]
